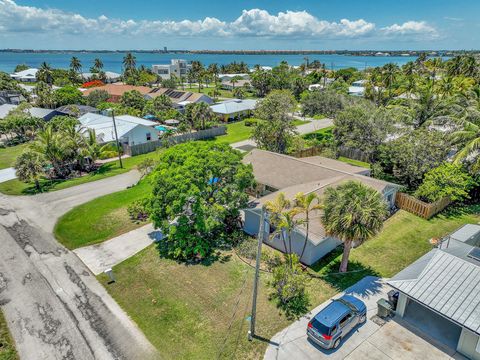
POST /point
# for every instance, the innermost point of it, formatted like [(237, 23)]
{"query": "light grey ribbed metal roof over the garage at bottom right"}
[(445, 283)]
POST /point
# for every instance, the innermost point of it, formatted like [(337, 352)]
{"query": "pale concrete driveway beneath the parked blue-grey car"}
[(368, 341)]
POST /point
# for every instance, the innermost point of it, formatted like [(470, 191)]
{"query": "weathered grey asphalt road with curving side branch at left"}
[(54, 306)]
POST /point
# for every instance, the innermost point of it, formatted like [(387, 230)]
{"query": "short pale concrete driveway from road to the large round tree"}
[(103, 256)]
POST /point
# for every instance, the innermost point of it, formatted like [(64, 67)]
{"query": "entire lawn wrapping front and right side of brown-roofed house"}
[(200, 311)]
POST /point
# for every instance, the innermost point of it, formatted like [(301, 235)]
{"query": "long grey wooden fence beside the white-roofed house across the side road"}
[(150, 146)]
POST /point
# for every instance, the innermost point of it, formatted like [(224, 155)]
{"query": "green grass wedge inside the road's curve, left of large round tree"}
[(100, 219)]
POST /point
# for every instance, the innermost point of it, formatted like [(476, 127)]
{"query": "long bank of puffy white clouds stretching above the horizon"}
[(251, 23)]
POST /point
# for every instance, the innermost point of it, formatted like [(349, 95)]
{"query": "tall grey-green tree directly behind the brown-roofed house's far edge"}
[(277, 131)]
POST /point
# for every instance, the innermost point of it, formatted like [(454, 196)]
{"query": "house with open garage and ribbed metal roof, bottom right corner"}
[(440, 292)]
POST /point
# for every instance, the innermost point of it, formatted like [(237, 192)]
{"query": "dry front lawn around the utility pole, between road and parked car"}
[(199, 311)]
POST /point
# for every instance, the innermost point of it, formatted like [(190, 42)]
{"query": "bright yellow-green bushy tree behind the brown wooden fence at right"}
[(445, 181)]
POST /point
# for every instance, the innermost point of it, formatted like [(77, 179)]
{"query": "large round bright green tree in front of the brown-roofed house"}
[(198, 191)]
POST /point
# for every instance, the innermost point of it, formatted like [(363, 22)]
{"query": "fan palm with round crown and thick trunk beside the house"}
[(353, 213)]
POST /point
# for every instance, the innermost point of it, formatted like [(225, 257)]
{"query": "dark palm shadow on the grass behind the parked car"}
[(327, 269)]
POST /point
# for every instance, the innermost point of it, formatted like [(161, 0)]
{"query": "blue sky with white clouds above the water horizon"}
[(228, 24)]
